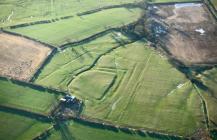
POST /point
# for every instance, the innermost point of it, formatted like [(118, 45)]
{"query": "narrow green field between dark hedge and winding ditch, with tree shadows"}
[(69, 62)]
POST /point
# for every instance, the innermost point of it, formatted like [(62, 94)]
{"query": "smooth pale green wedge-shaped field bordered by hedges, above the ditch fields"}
[(78, 28)]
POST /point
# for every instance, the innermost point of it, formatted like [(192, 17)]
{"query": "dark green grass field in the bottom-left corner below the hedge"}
[(17, 127)]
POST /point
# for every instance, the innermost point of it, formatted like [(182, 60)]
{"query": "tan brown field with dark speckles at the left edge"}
[(20, 57)]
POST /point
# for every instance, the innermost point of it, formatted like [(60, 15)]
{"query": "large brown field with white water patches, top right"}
[(182, 40)]
